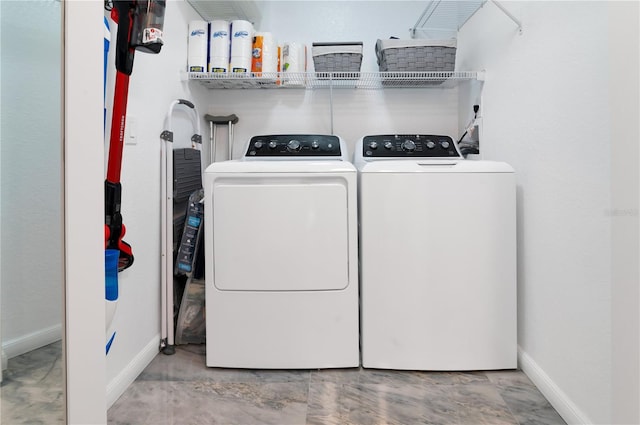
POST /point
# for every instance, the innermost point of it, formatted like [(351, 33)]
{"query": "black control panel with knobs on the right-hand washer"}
[(409, 146)]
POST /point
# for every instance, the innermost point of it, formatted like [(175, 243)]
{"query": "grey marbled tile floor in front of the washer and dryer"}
[(180, 389)]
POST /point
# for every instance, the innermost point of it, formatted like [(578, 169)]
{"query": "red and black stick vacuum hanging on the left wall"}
[(140, 24)]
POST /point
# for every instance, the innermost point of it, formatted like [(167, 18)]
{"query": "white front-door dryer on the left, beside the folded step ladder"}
[(282, 256)]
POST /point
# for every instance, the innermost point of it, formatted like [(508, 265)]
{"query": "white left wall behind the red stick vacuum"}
[(154, 84)]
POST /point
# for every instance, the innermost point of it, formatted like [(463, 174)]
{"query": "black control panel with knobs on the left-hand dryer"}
[(292, 145)]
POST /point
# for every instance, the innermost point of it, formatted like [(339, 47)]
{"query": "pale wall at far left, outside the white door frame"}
[(31, 176)]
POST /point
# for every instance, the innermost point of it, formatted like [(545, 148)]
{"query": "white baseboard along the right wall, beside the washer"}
[(558, 399)]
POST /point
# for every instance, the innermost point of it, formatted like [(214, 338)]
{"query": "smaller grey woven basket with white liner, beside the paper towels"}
[(337, 57)]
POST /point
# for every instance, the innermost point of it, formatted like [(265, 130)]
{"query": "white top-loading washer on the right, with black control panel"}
[(437, 256)]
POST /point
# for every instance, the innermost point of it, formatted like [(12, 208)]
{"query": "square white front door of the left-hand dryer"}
[(280, 233)]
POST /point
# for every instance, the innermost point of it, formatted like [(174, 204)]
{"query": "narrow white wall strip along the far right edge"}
[(624, 86)]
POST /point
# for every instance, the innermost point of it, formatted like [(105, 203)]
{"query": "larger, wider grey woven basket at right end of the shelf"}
[(416, 55)]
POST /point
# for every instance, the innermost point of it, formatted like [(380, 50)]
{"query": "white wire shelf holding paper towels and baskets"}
[(330, 80)]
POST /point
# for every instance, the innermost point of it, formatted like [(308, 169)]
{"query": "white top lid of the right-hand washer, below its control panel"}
[(435, 166)]
